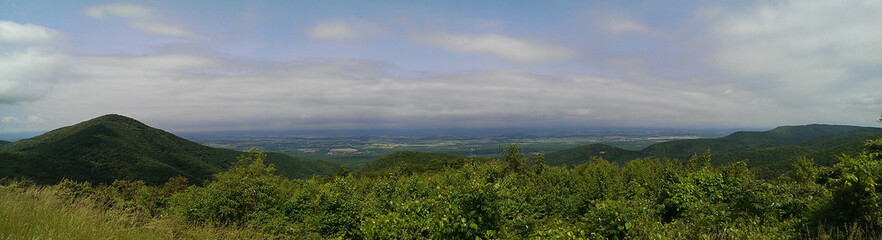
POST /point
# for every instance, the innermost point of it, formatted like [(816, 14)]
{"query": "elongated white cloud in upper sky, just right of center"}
[(507, 48)]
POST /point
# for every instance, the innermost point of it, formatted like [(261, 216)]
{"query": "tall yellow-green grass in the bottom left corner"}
[(33, 212)]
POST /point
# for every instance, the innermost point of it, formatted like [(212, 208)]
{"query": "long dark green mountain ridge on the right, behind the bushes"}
[(768, 153)]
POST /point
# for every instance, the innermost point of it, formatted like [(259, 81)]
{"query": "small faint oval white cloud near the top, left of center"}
[(344, 30)]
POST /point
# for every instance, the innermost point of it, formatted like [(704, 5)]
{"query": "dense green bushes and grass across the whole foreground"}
[(512, 197)]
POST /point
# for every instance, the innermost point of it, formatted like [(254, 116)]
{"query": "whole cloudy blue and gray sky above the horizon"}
[(301, 65)]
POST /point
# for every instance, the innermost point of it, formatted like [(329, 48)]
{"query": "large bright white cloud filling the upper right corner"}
[(801, 47)]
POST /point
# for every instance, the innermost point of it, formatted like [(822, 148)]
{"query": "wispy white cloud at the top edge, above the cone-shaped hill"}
[(139, 17)]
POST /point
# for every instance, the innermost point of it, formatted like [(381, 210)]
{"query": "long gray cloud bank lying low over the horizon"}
[(178, 90)]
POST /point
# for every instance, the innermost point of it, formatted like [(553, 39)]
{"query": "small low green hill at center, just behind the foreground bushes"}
[(411, 162)]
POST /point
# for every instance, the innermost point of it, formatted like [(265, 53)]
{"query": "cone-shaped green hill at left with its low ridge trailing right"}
[(117, 147)]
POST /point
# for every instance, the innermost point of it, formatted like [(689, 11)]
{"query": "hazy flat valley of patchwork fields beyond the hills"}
[(372, 145)]
